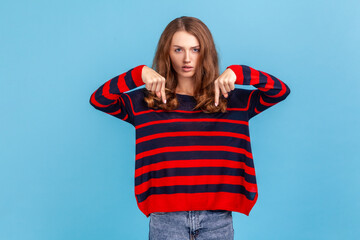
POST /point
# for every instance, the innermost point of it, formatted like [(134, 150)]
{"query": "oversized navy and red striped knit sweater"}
[(189, 160)]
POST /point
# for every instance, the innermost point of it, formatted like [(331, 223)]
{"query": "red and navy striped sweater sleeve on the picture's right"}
[(270, 90)]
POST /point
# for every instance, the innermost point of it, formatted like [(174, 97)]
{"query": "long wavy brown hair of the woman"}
[(207, 70)]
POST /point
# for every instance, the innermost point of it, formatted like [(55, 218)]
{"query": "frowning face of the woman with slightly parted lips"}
[(184, 51)]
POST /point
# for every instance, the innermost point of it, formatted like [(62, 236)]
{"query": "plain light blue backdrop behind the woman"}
[(67, 169)]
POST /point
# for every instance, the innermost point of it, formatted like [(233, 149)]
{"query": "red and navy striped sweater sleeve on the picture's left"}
[(111, 99)]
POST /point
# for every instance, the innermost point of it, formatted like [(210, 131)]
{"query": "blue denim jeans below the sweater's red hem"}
[(191, 225)]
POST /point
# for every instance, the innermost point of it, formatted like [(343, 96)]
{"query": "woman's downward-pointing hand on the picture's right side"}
[(226, 83)]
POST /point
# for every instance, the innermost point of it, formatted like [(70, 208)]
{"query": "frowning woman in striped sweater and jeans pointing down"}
[(194, 165)]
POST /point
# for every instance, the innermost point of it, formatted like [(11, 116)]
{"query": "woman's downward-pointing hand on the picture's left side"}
[(154, 82)]
